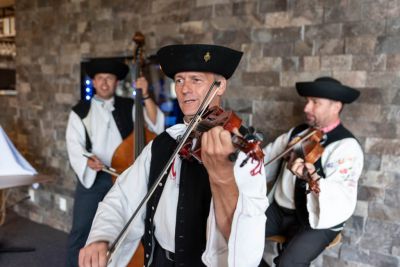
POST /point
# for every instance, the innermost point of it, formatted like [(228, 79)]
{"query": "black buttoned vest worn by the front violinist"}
[(192, 210)]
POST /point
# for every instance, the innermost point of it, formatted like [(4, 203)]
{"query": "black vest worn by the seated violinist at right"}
[(300, 196)]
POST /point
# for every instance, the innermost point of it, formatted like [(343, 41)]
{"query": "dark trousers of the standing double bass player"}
[(85, 206)]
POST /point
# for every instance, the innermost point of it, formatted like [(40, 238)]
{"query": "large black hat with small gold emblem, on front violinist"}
[(198, 57)]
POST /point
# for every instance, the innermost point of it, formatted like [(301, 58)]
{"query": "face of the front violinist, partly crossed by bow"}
[(192, 87)]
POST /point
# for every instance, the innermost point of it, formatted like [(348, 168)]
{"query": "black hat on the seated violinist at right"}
[(327, 87)]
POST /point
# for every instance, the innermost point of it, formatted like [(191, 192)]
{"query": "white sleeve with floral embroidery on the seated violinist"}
[(342, 162)]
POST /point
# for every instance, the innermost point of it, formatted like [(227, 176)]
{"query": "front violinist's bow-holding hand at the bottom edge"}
[(94, 255)]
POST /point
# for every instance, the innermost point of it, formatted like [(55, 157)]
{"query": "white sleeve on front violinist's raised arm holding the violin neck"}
[(246, 241)]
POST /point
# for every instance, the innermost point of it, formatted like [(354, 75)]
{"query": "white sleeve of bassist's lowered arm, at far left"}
[(76, 147)]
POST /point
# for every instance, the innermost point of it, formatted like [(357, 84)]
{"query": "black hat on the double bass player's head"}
[(107, 65)]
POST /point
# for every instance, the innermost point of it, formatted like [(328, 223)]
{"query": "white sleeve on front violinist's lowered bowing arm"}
[(117, 207)]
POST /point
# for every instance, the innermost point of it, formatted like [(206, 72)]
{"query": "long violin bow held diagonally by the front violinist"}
[(193, 123)]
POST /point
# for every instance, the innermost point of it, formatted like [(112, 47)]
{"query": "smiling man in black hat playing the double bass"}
[(96, 128)]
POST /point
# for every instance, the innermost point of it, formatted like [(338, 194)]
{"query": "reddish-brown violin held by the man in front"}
[(215, 116)]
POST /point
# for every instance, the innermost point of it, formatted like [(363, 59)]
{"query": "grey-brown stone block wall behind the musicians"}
[(355, 41)]
